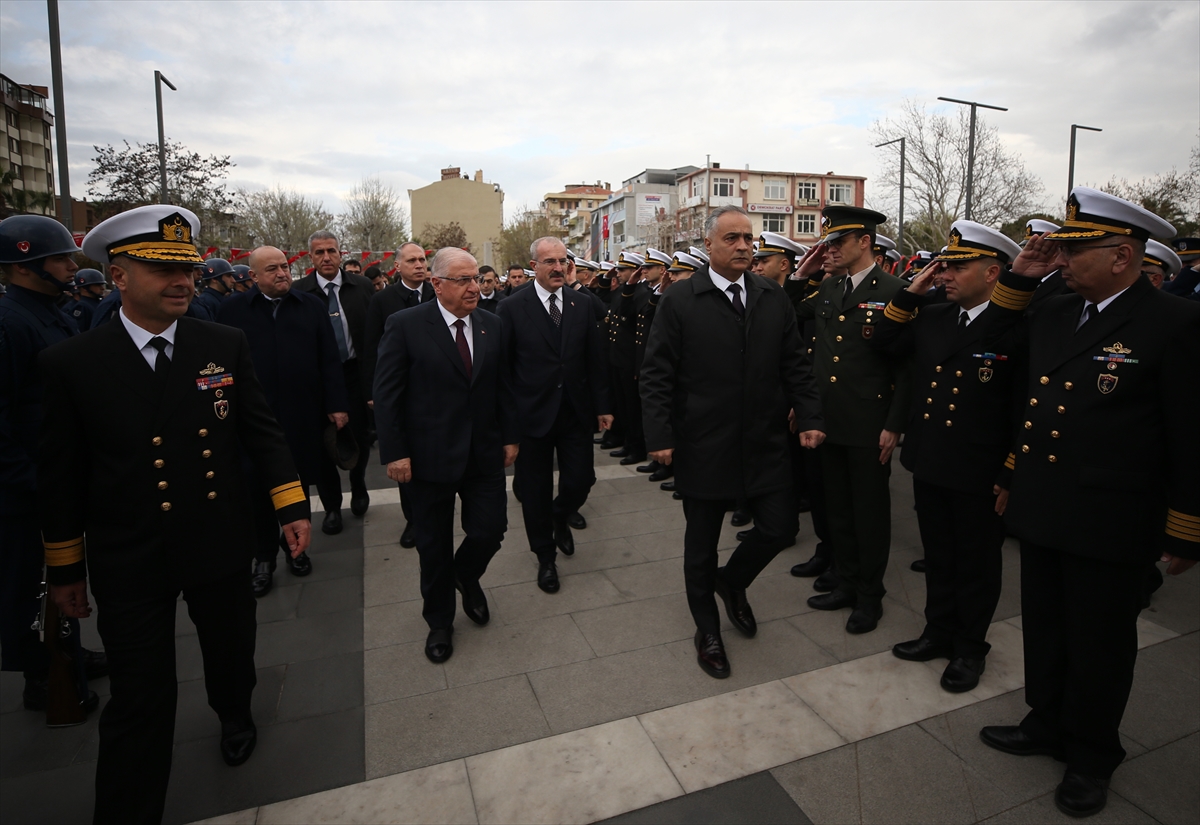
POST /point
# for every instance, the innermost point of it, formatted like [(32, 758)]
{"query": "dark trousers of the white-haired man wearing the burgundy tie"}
[(484, 520)]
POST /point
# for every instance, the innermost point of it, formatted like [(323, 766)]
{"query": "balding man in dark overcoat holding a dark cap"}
[(297, 360)]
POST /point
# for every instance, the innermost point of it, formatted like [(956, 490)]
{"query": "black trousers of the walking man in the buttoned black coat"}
[(776, 525)]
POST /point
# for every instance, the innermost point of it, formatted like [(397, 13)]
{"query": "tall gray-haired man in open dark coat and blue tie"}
[(347, 297)]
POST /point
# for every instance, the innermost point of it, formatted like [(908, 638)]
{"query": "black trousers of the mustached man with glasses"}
[(571, 438)]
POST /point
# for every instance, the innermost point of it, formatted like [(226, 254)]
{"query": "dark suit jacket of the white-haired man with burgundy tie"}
[(428, 410)]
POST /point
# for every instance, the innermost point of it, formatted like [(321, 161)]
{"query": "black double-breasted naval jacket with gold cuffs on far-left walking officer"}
[(153, 481)]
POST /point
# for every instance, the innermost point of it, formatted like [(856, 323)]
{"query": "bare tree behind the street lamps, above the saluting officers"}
[(937, 176)]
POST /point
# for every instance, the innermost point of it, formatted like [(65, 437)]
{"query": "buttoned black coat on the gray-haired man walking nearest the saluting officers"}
[(718, 390)]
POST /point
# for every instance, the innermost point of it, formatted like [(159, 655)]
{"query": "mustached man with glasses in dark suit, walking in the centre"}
[(553, 351)]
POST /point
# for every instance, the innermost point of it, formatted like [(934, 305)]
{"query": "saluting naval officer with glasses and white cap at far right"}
[(1106, 480)]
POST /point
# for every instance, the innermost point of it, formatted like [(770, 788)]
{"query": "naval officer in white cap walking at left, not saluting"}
[(166, 408)]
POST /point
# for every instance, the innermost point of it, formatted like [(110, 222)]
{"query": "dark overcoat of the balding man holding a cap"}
[(297, 360)]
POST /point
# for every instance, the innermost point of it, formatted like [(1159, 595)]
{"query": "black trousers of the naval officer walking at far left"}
[(137, 726)]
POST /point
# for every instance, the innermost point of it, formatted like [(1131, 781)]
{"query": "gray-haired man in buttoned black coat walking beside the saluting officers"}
[(724, 369)]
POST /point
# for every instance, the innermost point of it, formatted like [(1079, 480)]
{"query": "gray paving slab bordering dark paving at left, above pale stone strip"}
[(449, 725)]
